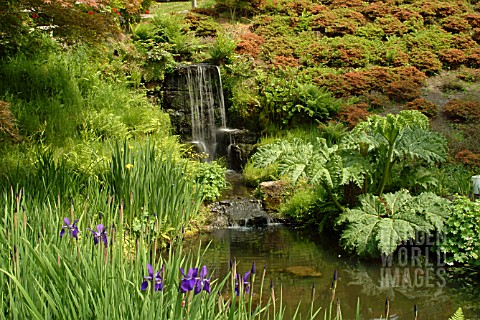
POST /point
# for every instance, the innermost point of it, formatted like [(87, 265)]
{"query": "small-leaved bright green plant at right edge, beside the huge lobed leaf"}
[(462, 232)]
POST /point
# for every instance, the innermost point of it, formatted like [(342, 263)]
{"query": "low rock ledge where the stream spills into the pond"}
[(243, 212)]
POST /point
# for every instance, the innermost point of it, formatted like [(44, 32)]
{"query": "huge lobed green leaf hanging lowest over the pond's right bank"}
[(380, 224)]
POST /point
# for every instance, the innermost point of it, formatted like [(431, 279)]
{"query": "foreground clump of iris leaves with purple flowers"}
[(85, 262)]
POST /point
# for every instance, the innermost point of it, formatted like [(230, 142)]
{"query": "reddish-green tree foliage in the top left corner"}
[(71, 20)]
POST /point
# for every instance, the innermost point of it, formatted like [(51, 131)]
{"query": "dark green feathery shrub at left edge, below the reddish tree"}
[(44, 93)]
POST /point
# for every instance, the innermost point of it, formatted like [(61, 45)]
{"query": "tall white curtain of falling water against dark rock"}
[(207, 106)]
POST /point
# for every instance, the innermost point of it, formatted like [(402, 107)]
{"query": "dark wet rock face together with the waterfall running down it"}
[(193, 97)]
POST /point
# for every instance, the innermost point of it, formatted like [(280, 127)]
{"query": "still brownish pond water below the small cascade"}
[(280, 248)]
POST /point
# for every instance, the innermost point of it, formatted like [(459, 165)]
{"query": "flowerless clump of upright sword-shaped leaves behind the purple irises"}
[(150, 179)]
